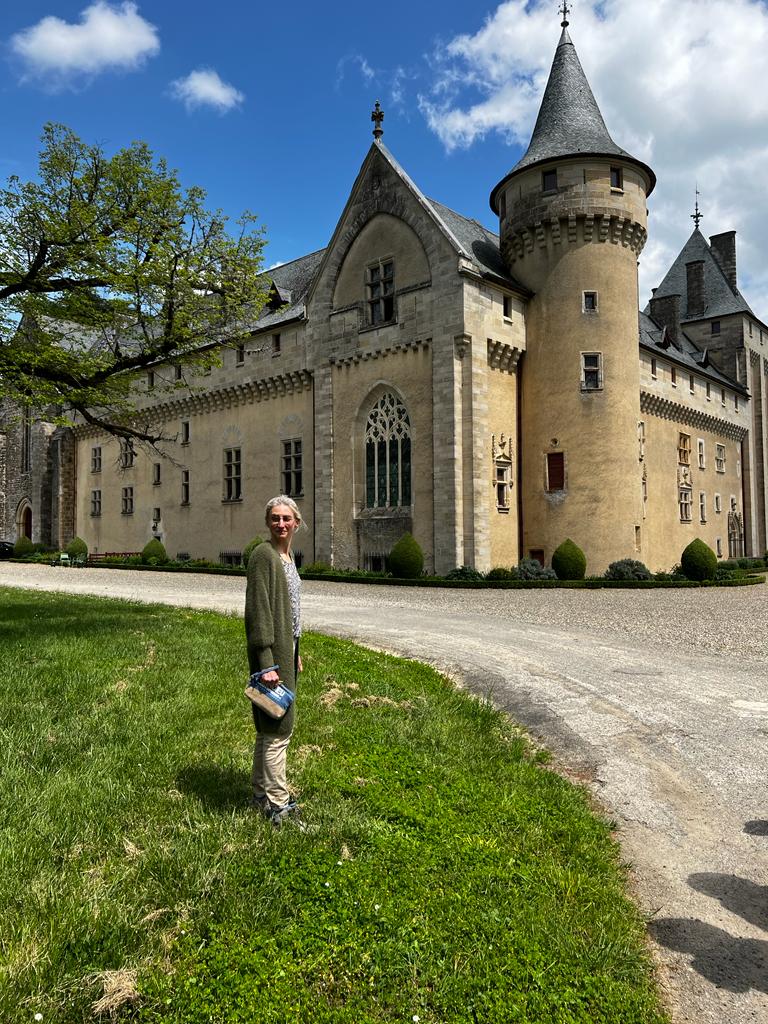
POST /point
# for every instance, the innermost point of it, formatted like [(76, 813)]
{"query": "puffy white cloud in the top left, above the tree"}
[(106, 38)]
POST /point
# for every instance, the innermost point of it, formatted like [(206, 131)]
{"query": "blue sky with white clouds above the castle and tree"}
[(268, 107)]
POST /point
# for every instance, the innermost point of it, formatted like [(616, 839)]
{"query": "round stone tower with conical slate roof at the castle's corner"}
[(573, 223)]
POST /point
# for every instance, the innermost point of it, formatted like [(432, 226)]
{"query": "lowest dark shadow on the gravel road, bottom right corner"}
[(736, 965)]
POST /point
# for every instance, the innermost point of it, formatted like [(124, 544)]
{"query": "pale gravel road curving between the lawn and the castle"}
[(658, 702)]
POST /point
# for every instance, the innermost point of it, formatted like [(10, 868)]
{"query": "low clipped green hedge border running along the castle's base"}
[(747, 581)]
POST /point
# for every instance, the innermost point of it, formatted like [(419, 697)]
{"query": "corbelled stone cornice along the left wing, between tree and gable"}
[(242, 394)]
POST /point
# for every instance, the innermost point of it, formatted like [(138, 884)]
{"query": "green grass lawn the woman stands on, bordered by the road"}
[(447, 875)]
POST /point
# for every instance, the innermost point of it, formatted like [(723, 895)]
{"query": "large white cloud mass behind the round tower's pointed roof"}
[(681, 86)]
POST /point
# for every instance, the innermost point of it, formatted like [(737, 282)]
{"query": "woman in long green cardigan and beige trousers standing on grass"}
[(273, 630)]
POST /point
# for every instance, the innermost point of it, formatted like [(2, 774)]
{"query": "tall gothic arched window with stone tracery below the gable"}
[(388, 454)]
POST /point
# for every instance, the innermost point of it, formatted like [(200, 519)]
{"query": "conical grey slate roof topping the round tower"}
[(570, 122)]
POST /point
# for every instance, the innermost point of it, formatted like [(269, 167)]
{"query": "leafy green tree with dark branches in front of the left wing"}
[(107, 268)]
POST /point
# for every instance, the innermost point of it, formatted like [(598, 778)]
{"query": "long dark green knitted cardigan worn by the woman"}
[(270, 629)]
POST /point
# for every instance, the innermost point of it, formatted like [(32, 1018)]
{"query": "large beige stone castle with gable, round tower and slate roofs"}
[(493, 395)]
